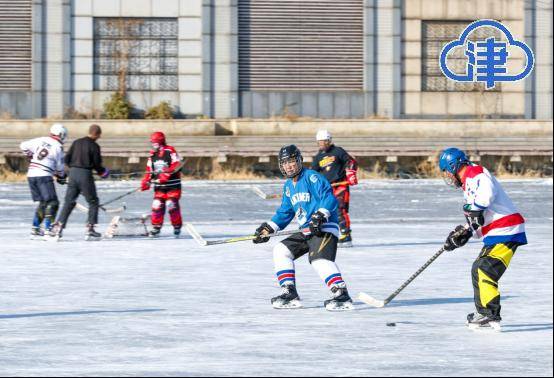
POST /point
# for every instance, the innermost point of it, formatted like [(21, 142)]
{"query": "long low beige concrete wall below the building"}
[(260, 127)]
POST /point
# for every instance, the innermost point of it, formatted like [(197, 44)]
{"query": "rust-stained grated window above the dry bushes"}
[(135, 54)]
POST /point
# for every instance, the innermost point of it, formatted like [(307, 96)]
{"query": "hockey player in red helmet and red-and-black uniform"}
[(162, 169)]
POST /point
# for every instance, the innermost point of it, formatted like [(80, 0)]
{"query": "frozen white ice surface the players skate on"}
[(170, 307)]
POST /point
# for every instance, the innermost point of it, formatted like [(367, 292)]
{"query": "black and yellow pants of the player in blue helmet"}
[(486, 272)]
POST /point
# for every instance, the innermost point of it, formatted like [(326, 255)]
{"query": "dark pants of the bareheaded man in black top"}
[(80, 181)]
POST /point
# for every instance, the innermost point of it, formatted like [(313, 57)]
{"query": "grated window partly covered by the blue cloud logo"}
[(435, 35)]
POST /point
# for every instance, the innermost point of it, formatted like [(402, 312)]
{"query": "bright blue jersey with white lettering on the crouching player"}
[(311, 193)]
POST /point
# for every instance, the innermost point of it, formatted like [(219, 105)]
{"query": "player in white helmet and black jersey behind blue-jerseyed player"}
[(340, 169)]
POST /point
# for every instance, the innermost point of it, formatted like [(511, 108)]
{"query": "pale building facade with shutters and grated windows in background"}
[(263, 58)]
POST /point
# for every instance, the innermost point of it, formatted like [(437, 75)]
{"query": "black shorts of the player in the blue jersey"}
[(324, 247)]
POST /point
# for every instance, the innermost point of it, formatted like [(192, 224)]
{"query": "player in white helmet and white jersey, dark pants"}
[(46, 158)]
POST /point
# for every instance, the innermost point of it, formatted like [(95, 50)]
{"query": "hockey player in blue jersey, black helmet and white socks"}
[(308, 196)]
